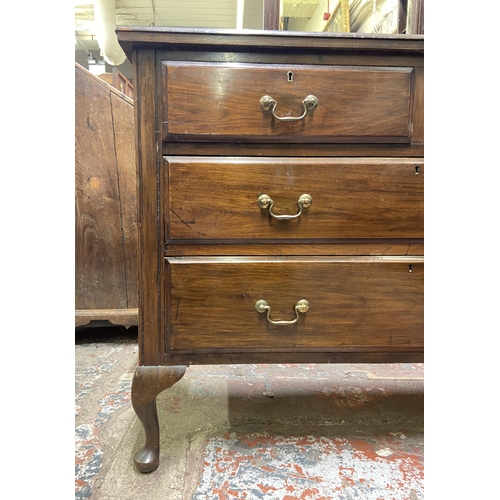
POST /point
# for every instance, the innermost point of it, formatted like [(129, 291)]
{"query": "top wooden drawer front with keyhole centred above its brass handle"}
[(211, 101)]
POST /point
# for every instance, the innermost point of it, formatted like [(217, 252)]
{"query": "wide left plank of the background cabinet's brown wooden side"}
[(100, 277)]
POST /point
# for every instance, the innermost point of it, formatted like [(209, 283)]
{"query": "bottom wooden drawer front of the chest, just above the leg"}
[(354, 303)]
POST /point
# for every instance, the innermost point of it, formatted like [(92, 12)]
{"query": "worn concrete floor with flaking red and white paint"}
[(283, 432)]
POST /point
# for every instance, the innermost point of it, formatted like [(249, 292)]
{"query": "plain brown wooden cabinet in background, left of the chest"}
[(105, 203)]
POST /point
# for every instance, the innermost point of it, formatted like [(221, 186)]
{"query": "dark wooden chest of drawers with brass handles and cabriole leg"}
[(280, 192)]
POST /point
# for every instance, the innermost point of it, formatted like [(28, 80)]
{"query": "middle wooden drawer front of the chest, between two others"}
[(218, 198)]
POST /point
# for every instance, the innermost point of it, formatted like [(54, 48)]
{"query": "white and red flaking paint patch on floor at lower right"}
[(262, 466)]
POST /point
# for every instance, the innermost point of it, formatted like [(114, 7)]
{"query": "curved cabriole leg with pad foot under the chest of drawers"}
[(148, 382)]
